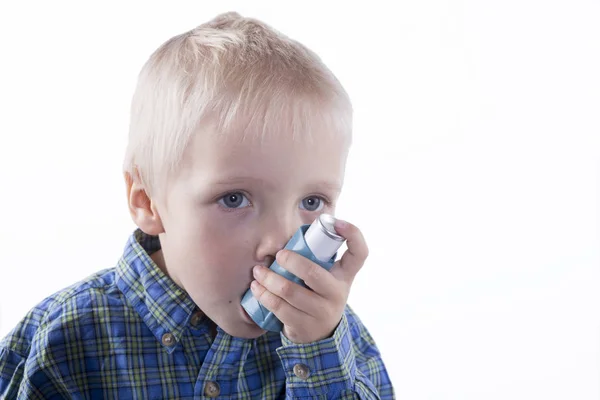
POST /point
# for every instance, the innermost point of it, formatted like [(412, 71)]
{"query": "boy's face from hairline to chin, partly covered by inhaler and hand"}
[(234, 205)]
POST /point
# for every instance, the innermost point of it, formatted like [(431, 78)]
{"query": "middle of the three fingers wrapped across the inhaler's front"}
[(297, 296)]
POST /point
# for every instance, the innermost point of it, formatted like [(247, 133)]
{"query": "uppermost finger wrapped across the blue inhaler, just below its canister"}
[(314, 276)]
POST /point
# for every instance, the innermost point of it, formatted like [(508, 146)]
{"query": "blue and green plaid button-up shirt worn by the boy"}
[(130, 332)]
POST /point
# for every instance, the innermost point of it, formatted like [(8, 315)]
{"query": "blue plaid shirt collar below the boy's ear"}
[(164, 307)]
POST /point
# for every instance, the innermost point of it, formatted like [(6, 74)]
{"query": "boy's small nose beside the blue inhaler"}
[(275, 232)]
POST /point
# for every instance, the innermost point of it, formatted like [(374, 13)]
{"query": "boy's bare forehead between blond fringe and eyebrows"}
[(277, 159)]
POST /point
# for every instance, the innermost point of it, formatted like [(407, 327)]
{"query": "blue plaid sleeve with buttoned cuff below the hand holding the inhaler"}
[(347, 365)]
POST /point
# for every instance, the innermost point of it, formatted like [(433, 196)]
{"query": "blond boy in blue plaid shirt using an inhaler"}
[(238, 136)]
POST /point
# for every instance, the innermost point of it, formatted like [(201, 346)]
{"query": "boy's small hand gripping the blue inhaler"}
[(309, 316)]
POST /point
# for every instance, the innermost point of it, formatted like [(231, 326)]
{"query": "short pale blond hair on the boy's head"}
[(232, 75)]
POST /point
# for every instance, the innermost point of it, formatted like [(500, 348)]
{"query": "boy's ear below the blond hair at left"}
[(141, 207)]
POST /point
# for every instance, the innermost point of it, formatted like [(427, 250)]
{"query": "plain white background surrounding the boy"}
[(474, 174)]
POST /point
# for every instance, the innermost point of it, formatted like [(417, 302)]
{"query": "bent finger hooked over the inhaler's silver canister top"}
[(356, 254)]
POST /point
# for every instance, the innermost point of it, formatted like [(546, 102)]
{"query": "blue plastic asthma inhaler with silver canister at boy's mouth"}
[(318, 242)]
